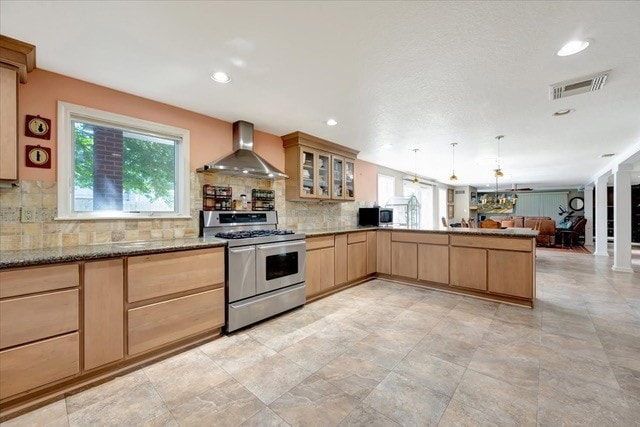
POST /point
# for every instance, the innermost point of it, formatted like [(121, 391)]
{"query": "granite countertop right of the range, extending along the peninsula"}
[(509, 232)]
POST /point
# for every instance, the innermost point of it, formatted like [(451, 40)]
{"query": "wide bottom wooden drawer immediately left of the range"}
[(155, 325)]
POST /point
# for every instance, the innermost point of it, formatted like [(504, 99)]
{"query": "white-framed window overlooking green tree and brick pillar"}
[(112, 166)]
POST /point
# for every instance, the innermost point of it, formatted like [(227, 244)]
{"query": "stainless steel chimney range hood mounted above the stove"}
[(243, 161)]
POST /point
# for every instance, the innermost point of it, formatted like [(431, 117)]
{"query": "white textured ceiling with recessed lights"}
[(411, 74)]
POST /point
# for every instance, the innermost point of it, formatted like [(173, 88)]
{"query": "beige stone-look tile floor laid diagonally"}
[(388, 354)]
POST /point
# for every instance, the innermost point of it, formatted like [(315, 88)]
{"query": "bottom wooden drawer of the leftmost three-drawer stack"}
[(37, 364)]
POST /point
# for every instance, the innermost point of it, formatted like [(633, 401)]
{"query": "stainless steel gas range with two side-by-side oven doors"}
[(265, 266)]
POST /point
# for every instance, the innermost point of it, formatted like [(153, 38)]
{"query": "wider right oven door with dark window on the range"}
[(280, 264)]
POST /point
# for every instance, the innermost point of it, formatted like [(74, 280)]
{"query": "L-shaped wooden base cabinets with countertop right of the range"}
[(492, 264)]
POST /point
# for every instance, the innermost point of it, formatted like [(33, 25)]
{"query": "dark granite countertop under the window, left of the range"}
[(30, 257)]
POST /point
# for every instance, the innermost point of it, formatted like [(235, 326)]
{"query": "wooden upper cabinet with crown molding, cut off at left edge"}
[(16, 60)]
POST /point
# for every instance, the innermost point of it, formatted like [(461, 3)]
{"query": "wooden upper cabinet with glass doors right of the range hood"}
[(318, 169)]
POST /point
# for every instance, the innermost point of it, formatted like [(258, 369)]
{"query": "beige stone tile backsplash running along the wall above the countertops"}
[(41, 198)]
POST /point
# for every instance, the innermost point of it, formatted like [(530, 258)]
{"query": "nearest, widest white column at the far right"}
[(622, 218)]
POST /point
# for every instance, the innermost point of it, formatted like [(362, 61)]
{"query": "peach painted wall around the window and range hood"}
[(210, 137)]
